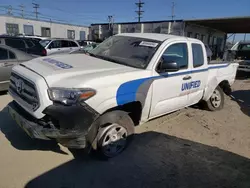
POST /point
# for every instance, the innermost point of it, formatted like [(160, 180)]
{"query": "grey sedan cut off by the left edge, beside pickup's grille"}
[(10, 57)]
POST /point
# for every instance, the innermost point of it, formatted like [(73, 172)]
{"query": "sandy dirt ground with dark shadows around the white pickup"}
[(189, 148)]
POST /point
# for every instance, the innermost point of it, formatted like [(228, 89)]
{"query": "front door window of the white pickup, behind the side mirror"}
[(177, 53)]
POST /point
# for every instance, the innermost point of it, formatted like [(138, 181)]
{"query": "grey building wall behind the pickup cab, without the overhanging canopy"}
[(212, 37)]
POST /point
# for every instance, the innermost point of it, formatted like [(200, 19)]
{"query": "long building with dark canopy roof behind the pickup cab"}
[(212, 32)]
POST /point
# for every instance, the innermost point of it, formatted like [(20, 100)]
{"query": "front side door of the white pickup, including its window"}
[(169, 91)]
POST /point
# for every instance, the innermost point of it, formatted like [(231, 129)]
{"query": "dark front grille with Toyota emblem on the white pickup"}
[(24, 91)]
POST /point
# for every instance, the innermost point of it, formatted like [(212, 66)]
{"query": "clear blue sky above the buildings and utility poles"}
[(85, 12)]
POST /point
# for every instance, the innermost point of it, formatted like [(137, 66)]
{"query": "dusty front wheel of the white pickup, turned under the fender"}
[(114, 134)]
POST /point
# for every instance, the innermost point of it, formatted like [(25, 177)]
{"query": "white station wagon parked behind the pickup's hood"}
[(58, 46)]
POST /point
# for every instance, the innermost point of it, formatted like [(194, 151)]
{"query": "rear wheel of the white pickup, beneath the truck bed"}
[(216, 101)]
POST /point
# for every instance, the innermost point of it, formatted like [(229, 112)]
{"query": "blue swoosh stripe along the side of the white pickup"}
[(127, 91)]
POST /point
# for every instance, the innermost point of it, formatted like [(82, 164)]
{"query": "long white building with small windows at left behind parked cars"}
[(12, 25)]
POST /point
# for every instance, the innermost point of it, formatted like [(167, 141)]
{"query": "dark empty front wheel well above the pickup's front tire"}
[(134, 110)]
